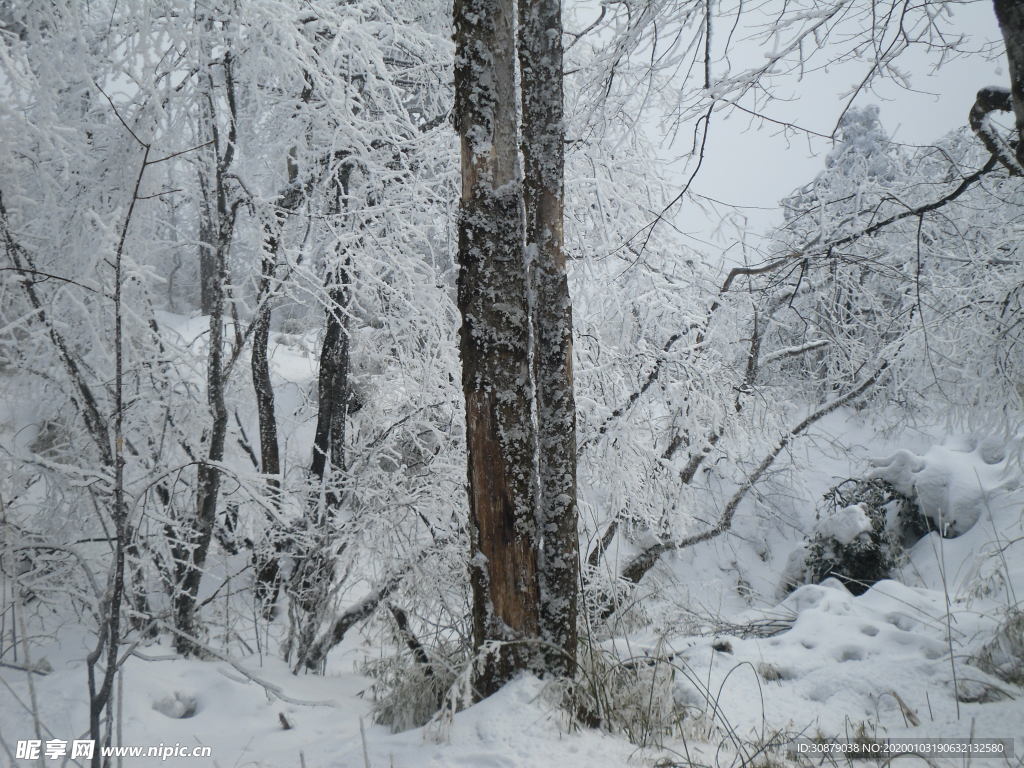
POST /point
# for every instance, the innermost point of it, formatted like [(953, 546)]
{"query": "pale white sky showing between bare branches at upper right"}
[(755, 166)]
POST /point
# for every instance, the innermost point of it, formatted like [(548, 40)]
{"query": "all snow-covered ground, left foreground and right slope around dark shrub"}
[(740, 667)]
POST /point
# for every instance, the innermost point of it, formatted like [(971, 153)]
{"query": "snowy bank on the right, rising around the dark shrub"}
[(932, 651)]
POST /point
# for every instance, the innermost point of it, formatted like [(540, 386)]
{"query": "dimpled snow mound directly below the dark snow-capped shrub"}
[(881, 660)]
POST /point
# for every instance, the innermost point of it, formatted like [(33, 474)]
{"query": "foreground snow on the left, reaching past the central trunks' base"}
[(517, 729)]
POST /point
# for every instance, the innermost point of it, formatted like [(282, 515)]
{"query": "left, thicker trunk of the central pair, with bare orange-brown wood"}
[(495, 345)]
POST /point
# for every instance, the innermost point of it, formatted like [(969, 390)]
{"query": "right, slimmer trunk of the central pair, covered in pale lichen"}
[(543, 150)]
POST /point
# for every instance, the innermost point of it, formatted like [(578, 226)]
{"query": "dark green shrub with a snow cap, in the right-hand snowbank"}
[(859, 537)]
